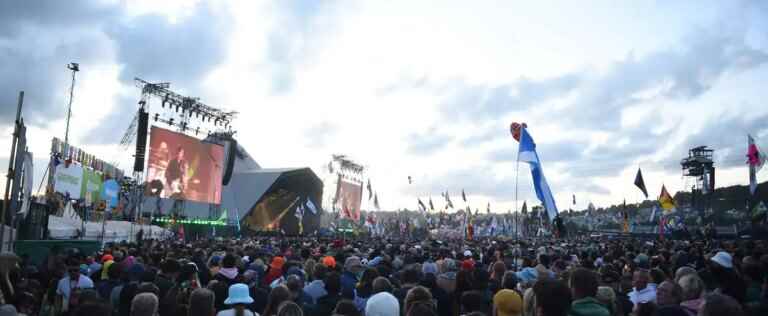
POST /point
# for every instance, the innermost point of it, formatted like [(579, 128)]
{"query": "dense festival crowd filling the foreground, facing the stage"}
[(271, 276)]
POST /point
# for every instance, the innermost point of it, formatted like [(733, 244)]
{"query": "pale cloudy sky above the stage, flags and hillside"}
[(425, 89)]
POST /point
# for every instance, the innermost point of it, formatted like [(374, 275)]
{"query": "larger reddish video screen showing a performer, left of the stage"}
[(183, 167)]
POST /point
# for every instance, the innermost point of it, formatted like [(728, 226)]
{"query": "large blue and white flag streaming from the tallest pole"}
[(527, 153)]
